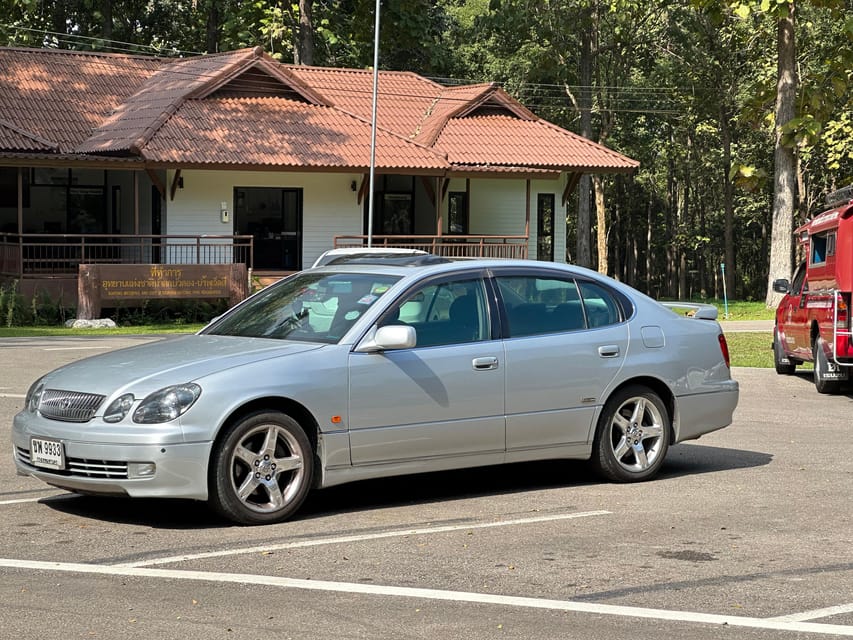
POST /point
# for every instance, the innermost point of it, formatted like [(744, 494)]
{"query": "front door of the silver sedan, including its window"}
[(441, 402)]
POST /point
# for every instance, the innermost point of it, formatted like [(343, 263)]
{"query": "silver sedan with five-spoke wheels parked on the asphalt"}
[(359, 371)]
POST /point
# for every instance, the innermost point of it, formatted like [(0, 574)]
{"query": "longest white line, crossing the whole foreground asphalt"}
[(437, 594)]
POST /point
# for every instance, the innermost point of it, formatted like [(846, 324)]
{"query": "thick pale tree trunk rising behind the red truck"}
[(784, 188)]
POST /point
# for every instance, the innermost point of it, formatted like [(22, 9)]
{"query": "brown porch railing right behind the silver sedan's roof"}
[(451, 246)]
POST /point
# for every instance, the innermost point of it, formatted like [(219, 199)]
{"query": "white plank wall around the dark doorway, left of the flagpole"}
[(329, 206)]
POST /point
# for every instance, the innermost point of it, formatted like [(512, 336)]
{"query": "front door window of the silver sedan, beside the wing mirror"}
[(443, 313)]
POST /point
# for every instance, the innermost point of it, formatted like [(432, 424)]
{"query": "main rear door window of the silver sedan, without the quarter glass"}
[(536, 305)]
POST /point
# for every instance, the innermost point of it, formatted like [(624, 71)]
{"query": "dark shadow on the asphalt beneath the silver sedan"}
[(682, 460)]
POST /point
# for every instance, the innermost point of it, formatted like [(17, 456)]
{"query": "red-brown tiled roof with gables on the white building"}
[(244, 109)]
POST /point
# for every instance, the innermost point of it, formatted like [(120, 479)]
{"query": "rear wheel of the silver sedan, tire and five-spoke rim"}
[(632, 435)]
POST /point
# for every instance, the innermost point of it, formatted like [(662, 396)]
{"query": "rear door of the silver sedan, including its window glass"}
[(565, 341)]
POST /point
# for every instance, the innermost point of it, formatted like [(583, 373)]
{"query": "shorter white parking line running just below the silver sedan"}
[(361, 538)]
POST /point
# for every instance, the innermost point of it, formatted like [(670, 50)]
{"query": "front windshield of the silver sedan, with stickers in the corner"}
[(308, 307)]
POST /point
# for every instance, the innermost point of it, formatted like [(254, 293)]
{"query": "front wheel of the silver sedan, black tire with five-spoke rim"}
[(261, 470)]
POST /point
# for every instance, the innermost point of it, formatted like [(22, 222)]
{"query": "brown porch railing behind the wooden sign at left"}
[(40, 254)]
